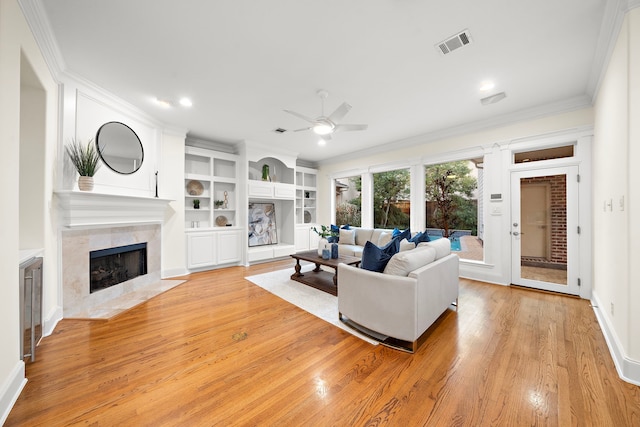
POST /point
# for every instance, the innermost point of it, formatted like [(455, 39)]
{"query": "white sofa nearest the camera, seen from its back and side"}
[(397, 306)]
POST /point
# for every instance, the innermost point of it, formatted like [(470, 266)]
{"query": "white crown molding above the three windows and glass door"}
[(564, 106)]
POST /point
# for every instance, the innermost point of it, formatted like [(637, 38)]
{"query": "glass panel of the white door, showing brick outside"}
[(543, 242)]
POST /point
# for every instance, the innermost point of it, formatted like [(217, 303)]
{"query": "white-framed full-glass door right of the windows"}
[(544, 229)]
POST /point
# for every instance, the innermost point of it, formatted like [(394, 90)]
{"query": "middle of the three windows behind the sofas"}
[(391, 202)]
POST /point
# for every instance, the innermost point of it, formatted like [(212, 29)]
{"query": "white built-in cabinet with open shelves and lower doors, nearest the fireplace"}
[(213, 227)]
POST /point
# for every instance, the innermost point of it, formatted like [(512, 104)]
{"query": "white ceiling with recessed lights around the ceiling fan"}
[(242, 62)]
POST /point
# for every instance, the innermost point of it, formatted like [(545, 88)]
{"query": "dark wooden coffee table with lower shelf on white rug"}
[(318, 278)]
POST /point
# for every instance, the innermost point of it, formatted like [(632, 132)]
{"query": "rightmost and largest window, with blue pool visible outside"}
[(454, 205)]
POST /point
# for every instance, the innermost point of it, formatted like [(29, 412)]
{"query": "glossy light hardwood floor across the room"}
[(218, 350)]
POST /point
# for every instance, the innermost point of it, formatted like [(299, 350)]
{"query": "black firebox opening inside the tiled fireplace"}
[(109, 267)]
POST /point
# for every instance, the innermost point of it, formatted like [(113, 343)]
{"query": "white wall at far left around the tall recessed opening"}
[(16, 41)]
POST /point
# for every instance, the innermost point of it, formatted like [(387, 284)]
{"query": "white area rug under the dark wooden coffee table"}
[(311, 300)]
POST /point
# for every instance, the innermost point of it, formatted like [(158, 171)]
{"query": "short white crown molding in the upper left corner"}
[(38, 22)]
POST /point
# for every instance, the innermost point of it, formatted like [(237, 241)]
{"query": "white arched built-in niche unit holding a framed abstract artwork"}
[(276, 191)]
